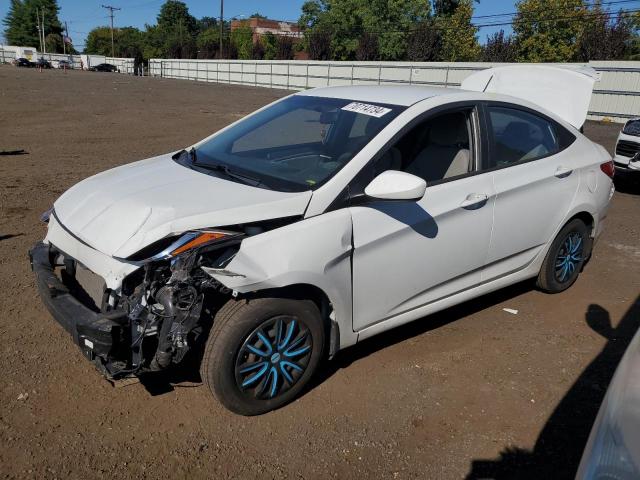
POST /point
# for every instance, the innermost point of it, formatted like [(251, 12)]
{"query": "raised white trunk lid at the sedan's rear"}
[(563, 90)]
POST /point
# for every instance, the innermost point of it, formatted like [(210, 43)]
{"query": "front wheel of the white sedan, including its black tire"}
[(262, 352)]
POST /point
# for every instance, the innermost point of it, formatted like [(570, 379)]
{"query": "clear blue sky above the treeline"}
[(84, 15)]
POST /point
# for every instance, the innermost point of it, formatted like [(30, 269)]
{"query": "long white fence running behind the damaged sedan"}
[(616, 96)]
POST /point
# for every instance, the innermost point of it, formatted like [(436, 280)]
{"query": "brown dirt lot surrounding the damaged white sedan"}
[(473, 391)]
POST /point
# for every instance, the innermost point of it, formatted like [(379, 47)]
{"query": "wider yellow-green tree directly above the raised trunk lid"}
[(548, 30)]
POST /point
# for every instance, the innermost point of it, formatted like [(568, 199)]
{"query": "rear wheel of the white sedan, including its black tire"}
[(565, 258)]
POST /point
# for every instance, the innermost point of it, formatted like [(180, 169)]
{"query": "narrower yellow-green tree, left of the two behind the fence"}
[(459, 41)]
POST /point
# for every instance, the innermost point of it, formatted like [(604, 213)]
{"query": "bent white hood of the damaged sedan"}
[(122, 210)]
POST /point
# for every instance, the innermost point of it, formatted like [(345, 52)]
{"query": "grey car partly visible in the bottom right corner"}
[(613, 449)]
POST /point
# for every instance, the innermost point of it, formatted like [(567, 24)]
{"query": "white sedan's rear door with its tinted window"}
[(535, 178)]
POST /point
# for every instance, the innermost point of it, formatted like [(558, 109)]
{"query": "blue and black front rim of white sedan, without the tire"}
[(273, 357)]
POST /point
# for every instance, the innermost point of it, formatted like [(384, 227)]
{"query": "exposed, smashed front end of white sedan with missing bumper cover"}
[(158, 313)]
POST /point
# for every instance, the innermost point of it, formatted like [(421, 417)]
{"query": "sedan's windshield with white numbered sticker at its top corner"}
[(296, 144)]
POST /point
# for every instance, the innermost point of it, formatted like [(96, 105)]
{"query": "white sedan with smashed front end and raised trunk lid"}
[(322, 219)]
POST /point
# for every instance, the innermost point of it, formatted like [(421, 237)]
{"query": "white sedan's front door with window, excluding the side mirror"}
[(410, 253)]
